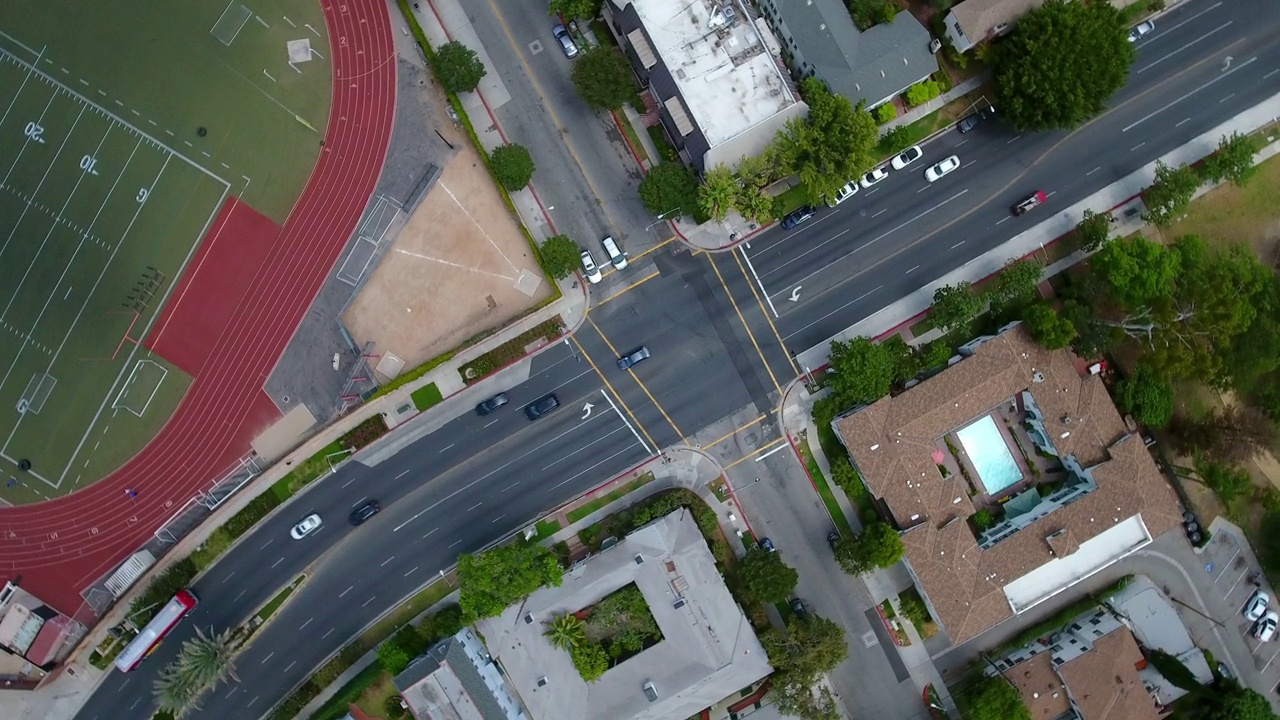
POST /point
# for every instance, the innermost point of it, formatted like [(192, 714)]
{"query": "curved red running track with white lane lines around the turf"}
[(63, 546)]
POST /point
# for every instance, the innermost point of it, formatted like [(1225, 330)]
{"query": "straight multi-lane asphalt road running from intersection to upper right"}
[(903, 234)]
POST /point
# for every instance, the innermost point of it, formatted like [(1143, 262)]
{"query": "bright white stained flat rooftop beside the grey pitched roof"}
[(726, 74)]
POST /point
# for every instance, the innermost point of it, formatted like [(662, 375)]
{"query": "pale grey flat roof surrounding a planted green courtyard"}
[(708, 649)]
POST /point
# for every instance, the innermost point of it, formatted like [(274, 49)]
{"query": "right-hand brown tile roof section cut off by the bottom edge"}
[(1105, 682)]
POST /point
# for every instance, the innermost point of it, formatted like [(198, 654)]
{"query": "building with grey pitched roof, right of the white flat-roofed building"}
[(820, 39)]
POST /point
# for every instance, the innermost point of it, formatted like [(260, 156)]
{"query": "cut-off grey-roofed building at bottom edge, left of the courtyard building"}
[(456, 680)]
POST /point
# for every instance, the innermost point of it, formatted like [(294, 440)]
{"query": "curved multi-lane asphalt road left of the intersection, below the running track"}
[(454, 491)]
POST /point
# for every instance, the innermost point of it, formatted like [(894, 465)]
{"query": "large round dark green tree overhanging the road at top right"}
[(1062, 63)]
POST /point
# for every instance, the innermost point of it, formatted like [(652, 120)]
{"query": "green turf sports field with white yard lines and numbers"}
[(107, 190)]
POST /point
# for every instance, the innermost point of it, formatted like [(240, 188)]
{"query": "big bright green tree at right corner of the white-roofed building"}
[(833, 145)]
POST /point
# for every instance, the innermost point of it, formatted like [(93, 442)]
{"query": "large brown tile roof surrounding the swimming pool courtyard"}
[(892, 444)]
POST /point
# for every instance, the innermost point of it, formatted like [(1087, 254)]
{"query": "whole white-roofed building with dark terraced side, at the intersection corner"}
[(715, 72)]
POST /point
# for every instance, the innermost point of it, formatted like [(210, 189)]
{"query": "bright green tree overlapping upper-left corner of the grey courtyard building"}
[(493, 580)]
